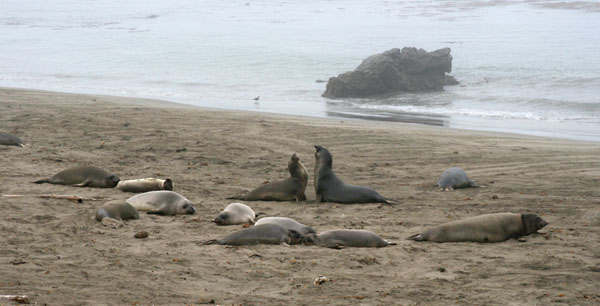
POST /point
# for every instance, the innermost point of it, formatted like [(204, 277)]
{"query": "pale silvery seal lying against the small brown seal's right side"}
[(162, 202)]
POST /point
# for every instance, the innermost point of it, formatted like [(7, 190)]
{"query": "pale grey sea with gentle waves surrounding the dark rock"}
[(529, 67)]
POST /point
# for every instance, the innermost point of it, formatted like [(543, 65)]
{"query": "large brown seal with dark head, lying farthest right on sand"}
[(484, 228)]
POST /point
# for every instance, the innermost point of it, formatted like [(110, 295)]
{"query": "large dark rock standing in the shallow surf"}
[(395, 70)]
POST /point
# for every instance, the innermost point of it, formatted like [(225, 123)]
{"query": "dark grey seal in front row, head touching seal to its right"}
[(260, 234)]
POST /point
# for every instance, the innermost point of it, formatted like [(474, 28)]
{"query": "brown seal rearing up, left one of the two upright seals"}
[(289, 189)]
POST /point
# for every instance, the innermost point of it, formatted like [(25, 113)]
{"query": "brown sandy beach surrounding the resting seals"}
[(55, 253)]
